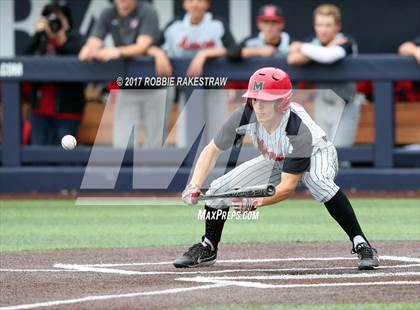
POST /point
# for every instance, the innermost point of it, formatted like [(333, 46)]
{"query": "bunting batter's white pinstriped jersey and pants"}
[(297, 146)]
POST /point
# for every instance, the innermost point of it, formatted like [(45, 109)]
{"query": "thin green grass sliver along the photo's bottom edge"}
[(400, 306)]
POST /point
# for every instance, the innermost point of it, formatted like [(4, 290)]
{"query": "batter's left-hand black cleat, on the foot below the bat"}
[(198, 255)]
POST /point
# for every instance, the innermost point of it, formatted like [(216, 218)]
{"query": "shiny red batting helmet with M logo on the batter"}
[(270, 84)]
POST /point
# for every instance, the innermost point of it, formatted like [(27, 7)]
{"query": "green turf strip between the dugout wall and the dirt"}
[(59, 224)]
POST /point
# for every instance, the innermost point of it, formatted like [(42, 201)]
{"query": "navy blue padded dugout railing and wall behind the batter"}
[(51, 169)]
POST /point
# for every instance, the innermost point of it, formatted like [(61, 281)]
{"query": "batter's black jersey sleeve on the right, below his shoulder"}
[(298, 159)]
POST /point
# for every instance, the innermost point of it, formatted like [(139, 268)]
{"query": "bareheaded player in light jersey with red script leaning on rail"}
[(200, 36)]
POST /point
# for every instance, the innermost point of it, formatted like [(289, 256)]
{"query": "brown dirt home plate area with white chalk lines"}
[(292, 273)]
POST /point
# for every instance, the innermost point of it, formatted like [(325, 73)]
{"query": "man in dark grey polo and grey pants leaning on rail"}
[(134, 26)]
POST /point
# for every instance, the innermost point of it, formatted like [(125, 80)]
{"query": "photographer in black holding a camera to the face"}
[(56, 108)]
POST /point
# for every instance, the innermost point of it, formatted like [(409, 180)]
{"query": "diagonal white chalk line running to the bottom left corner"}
[(106, 297)]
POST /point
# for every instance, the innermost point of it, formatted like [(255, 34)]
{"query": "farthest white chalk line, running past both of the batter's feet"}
[(264, 260)]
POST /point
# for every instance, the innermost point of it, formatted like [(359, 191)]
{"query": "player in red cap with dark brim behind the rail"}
[(270, 41)]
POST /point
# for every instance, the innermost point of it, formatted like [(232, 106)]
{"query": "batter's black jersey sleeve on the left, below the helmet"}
[(227, 135)]
